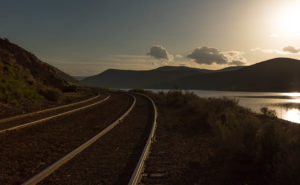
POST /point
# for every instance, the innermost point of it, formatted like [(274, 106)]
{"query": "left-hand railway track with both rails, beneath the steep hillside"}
[(26, 120)]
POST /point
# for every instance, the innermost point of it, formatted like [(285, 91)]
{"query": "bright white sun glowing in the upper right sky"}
[(287, 20)]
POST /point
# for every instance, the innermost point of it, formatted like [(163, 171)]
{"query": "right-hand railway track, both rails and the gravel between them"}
[(117, 158)]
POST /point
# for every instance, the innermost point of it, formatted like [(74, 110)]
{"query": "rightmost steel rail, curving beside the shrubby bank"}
[(136, 176)]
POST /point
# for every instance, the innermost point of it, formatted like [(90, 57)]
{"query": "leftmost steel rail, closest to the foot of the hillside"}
[(46, 110)]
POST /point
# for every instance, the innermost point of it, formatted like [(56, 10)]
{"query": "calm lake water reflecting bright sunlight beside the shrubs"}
[(286, 105)]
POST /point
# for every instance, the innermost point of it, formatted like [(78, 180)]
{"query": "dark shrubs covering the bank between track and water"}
[(246, 147)]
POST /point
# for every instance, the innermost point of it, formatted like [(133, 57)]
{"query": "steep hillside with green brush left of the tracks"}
[(28, 84)]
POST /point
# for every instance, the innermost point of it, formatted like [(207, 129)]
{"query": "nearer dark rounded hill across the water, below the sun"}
[(279, 74)]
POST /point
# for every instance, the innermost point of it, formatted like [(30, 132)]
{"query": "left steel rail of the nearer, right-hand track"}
[(46, 172)]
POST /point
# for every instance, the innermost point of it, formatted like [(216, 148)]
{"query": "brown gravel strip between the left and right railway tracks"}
[(27, 151)]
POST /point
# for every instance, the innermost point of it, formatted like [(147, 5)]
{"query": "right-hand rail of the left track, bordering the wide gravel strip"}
[(54, 116)]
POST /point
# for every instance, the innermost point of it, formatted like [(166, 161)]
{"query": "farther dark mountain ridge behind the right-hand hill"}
[(169, 75)]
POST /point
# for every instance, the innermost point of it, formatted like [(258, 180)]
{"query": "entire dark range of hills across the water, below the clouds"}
[(279, 74)]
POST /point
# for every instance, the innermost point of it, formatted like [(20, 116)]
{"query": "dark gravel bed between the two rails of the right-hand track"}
[(113, 158)]
